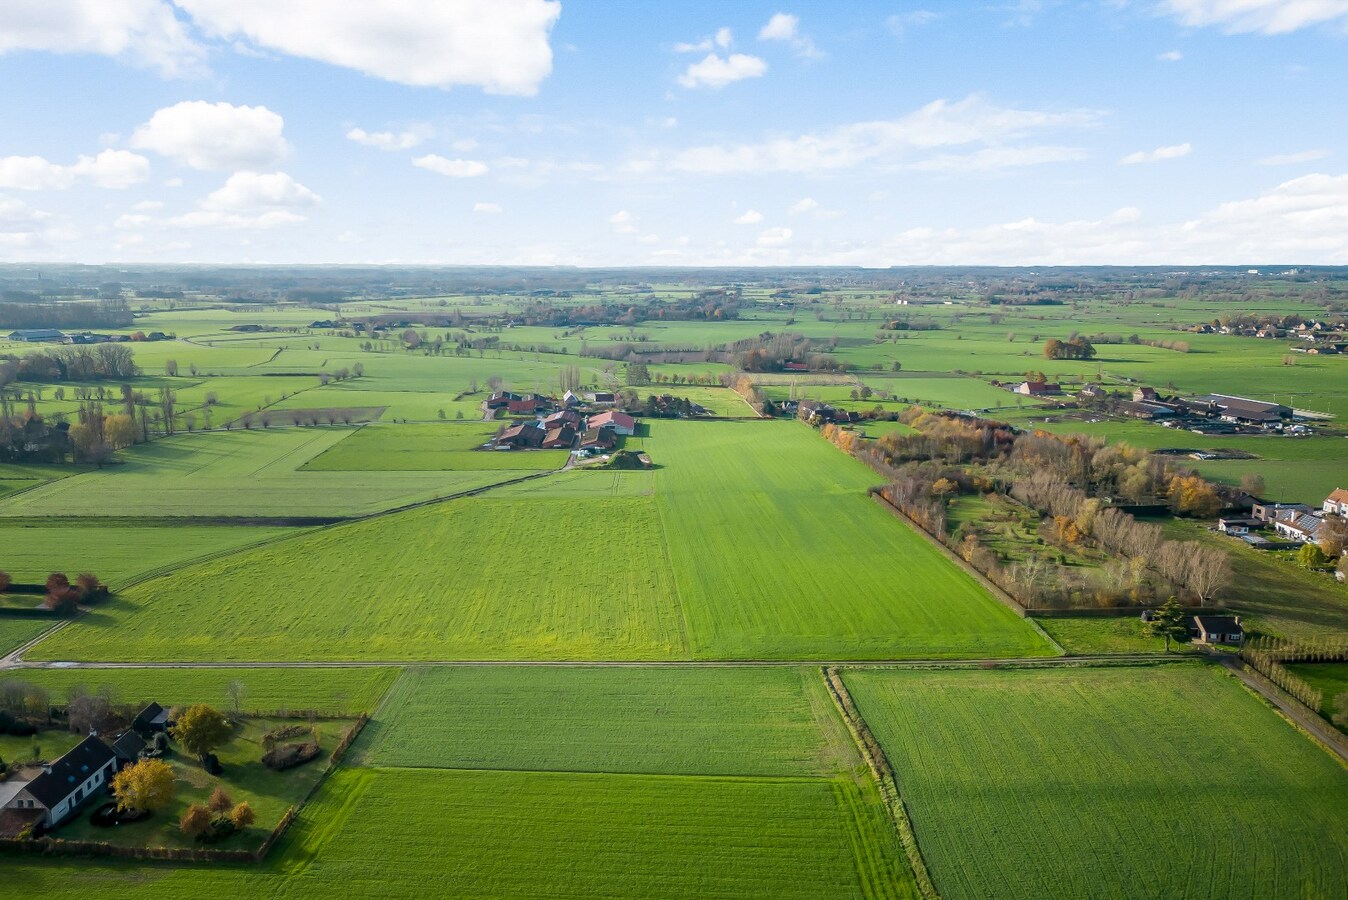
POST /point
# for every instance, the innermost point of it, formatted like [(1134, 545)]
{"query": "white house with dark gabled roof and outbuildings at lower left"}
[(45, 798)]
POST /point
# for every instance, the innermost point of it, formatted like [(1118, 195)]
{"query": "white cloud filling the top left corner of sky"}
[(144, 33)]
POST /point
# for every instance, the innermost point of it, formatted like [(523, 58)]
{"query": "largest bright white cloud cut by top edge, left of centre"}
[(502, 48)]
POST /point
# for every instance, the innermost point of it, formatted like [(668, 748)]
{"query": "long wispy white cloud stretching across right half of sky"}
[(973, 121)]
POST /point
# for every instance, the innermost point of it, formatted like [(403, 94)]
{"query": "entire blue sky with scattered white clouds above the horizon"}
[(630, 134)]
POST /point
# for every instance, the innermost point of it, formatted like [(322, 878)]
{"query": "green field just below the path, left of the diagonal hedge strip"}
[(668, 721)]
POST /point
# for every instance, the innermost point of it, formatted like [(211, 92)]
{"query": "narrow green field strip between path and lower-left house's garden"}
[(331, 692)]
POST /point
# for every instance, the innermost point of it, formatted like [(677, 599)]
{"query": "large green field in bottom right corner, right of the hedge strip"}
[(997, 770)]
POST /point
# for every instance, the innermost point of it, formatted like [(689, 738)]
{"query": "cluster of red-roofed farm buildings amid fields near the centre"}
[(586, 425)]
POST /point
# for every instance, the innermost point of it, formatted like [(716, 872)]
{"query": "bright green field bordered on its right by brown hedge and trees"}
[(780, 554)]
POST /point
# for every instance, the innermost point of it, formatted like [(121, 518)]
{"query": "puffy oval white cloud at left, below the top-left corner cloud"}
[(215, 137)]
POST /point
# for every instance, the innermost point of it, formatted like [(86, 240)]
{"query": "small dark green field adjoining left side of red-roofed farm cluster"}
[(429, 448)]
